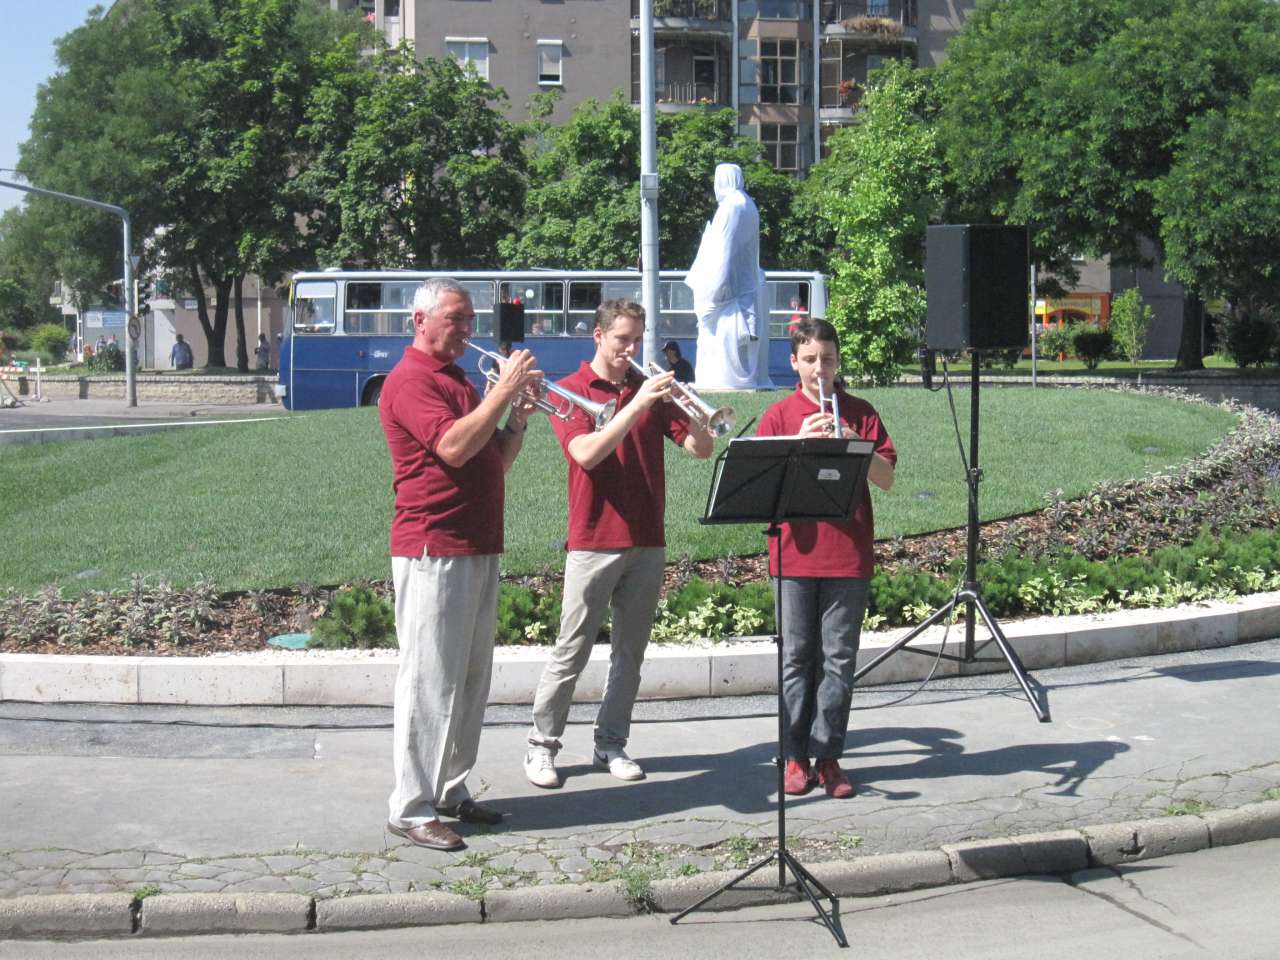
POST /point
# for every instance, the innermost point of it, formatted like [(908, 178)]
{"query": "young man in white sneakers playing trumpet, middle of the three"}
[(618, 491)]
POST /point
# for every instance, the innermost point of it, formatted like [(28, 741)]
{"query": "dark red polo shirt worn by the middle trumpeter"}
[(621, 502)]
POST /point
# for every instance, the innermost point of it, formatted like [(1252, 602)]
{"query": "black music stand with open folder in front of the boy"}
[(775, 481)]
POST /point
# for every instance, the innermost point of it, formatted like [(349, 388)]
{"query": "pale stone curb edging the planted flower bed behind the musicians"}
[(671, 673)]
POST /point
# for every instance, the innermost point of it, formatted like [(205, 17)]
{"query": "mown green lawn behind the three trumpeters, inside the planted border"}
[(309, 497)]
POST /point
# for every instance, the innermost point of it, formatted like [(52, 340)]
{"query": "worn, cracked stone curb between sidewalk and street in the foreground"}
[(1054, 853)]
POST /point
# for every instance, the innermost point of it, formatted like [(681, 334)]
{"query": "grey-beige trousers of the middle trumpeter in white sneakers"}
[(628, 582)]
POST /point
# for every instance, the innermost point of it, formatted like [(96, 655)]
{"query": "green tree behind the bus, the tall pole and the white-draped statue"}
[(583, 208)]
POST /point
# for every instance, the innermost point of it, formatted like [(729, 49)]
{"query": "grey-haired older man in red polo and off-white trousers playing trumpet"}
[(449, 460)]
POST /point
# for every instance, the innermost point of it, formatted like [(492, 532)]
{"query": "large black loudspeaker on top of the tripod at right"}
[(977, 282)]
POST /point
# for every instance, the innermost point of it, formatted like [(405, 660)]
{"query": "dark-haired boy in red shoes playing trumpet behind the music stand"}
[(828, 572)]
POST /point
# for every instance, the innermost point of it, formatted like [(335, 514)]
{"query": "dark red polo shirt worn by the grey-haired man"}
[(449, 511)]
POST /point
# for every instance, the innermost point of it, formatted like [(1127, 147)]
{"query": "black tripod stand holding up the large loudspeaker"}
[(971, 596)]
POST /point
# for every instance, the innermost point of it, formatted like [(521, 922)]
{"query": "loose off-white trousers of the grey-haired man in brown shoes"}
[(446, 611)]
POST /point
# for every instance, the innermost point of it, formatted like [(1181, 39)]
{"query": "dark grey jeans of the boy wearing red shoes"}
[(822, 620)]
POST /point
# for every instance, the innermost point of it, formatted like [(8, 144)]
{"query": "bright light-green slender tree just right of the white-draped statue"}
[(874, 196)]
